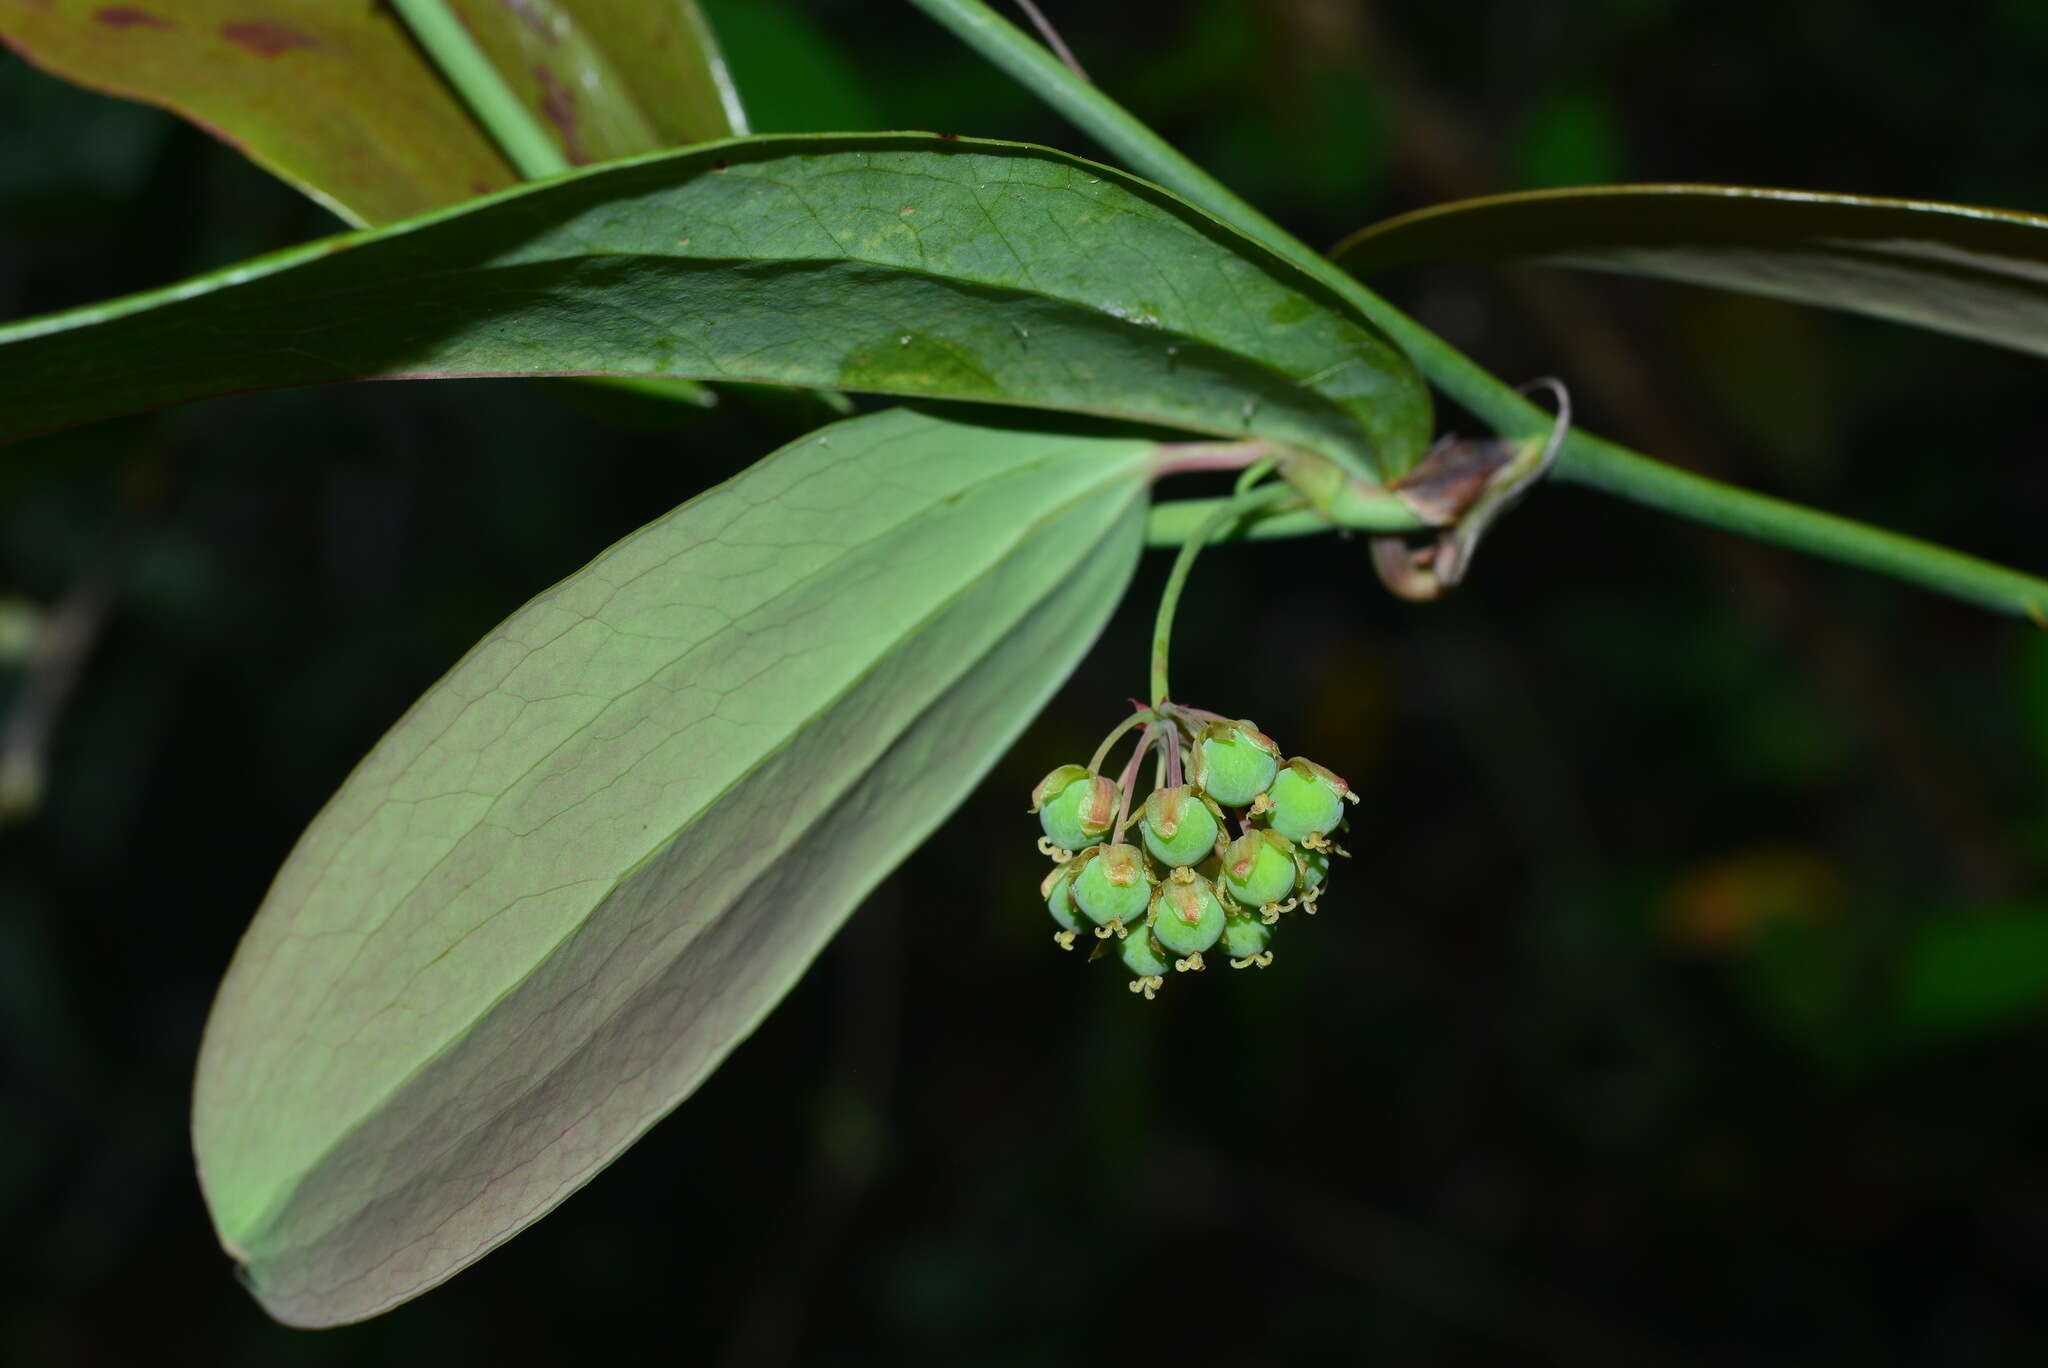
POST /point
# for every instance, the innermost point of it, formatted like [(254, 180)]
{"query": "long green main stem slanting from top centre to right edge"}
[(1586, 460)]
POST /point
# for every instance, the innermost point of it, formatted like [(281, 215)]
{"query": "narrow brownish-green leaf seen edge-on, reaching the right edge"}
[(1977, 273)]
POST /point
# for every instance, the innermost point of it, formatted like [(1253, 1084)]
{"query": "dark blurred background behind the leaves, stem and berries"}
[(1682, 1007)]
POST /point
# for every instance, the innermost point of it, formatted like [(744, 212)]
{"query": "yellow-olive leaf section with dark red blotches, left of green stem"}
[(329, 95)]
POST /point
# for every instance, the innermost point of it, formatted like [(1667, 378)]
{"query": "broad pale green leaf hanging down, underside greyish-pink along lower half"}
[(591, 859)]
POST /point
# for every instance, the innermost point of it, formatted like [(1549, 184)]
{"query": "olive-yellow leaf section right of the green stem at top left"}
[(611, 79)]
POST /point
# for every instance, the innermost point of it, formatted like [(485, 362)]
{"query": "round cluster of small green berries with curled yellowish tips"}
[(1187, 884)]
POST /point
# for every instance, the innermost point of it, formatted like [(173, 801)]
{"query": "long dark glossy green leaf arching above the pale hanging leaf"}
[(896, 263)]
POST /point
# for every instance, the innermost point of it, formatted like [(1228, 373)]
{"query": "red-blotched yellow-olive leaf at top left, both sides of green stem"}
[(339, 101)]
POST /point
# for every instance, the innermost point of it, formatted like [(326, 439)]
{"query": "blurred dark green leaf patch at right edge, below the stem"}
[(1973, 976)]
